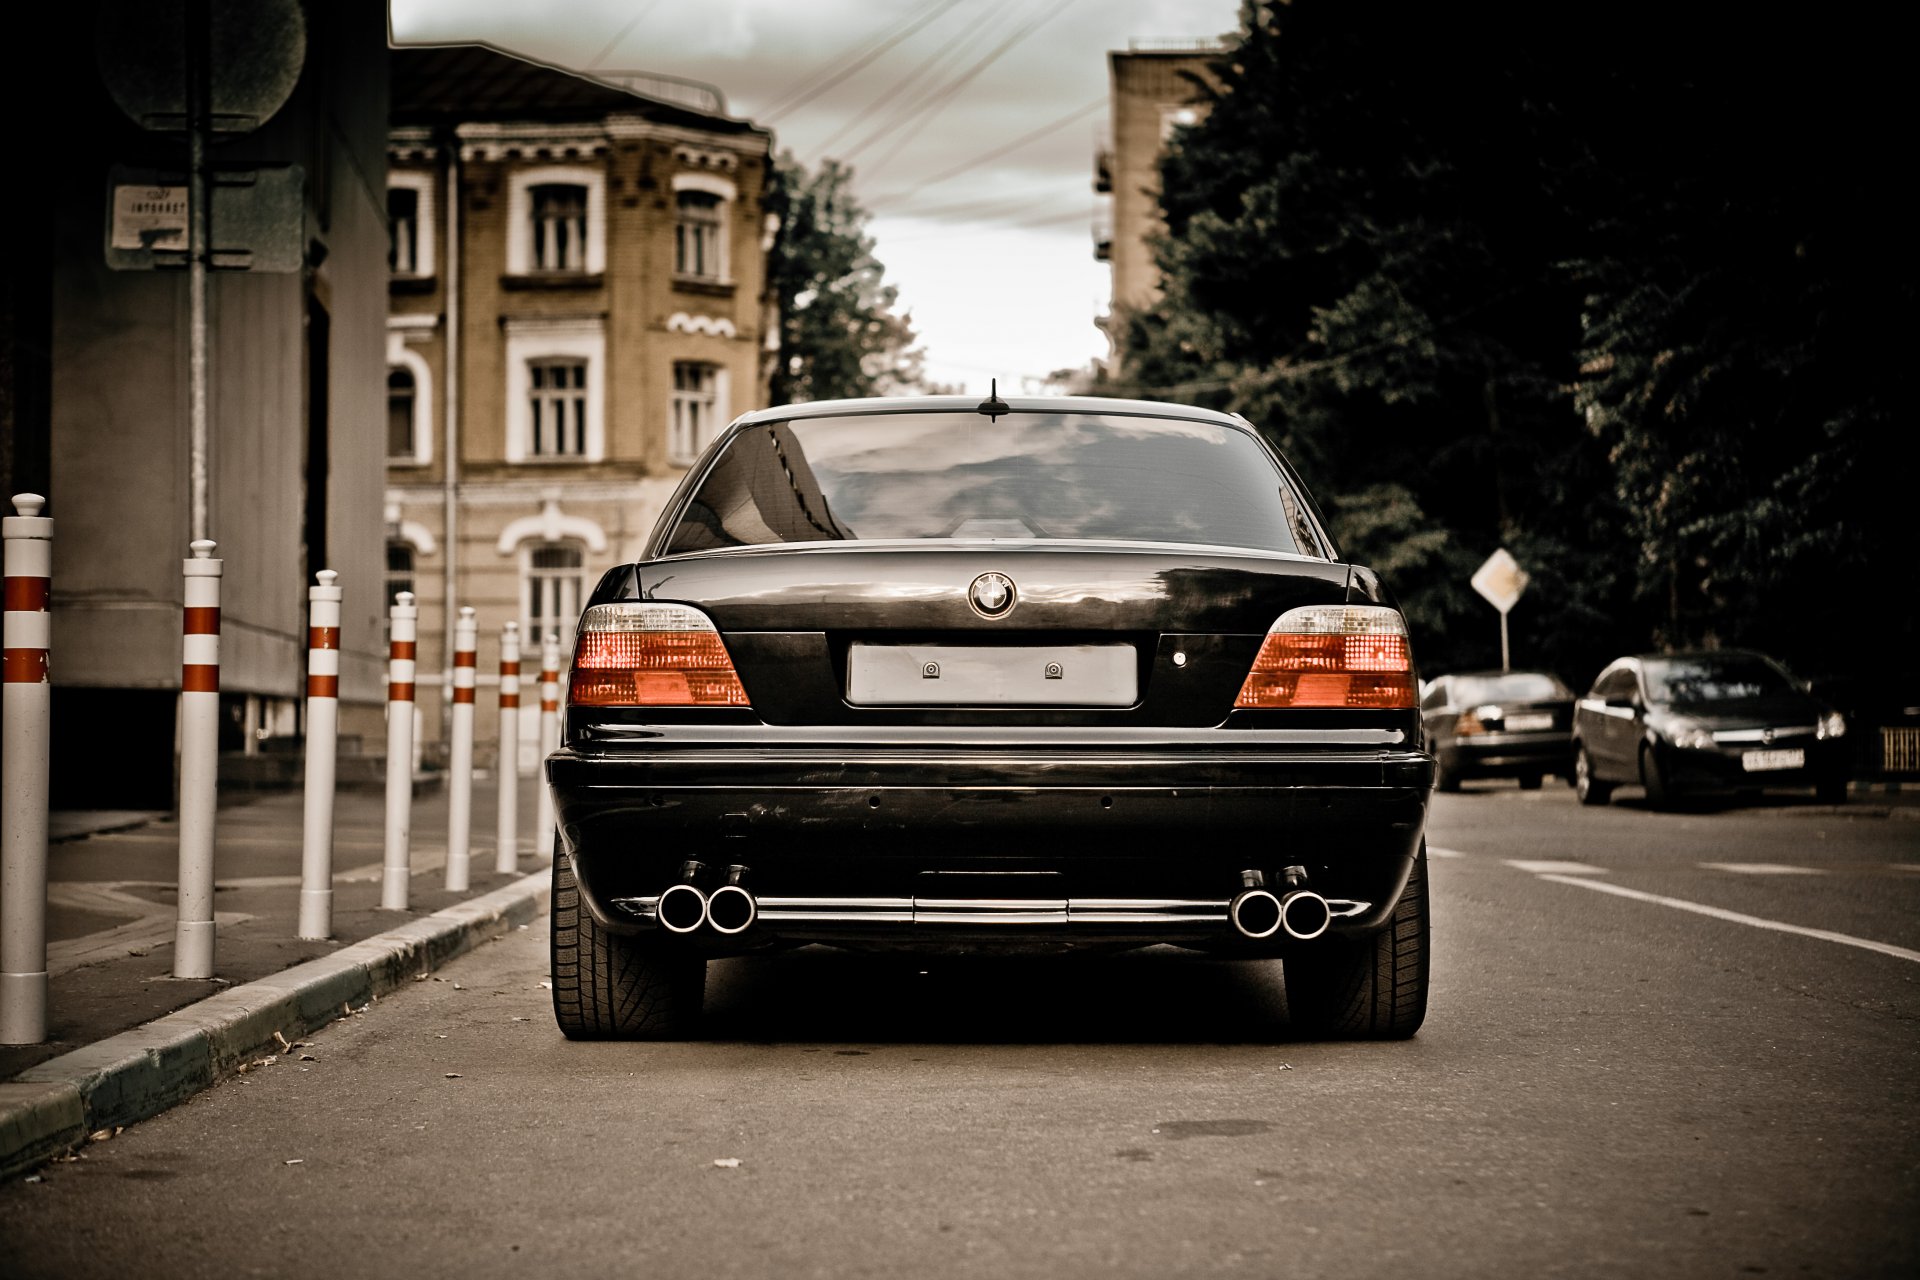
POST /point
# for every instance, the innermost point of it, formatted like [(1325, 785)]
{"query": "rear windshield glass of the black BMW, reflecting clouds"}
[(961, 475)]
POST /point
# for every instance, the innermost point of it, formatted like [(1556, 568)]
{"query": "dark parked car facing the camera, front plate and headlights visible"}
[(1706, 723)]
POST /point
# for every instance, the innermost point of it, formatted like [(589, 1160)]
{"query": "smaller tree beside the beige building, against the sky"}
[(840, 335)]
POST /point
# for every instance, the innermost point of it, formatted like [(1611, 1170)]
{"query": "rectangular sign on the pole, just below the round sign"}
[(258, 220)]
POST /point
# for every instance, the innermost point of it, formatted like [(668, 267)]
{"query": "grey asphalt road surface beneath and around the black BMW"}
[(1608, 1085)]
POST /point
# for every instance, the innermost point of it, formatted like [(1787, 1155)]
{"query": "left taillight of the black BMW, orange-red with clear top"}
[(652, 655)]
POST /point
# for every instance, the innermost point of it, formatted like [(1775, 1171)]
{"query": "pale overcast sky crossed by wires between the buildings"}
[(992, 254)]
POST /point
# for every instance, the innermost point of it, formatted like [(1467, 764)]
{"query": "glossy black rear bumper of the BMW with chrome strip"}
[(984, 847)]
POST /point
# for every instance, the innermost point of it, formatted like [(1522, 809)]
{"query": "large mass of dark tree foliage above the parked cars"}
[(1591, 291)]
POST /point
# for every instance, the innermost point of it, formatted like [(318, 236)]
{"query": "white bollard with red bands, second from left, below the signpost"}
[(201, 740)]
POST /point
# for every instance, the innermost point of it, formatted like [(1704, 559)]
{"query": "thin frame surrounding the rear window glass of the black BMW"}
[(694, 479)]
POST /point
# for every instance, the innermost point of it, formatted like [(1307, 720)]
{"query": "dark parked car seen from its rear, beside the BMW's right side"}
[(1499, 724)]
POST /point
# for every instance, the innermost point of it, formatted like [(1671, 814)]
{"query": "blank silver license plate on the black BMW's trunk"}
[(992, 676)]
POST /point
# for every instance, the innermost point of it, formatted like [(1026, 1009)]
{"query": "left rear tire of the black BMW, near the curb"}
[(617, 987)]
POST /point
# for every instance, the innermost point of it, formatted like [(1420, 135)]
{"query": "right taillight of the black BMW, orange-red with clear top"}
[(1333, 655)]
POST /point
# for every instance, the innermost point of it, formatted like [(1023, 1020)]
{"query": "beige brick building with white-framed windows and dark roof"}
[(590, 264)]
